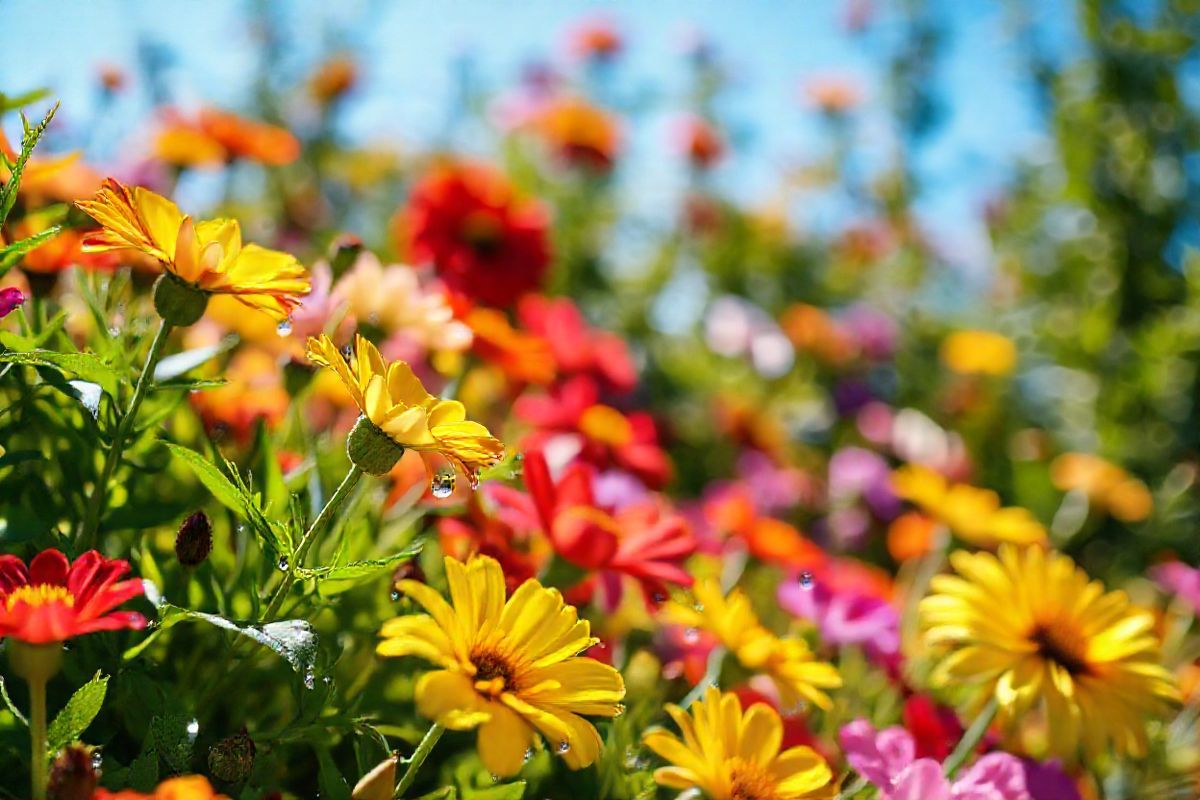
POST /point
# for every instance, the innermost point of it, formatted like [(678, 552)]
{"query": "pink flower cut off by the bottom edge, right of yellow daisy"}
[(886, 759)]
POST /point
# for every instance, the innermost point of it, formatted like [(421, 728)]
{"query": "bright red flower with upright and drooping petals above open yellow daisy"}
[(645, 542)]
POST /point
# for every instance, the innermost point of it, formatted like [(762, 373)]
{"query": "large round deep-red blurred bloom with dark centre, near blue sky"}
[(485, 243)]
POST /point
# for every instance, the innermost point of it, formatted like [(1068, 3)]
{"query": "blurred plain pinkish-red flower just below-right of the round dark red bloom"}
[(579, 348)]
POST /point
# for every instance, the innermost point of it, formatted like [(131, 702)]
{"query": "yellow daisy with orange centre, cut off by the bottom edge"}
[(734, 755)]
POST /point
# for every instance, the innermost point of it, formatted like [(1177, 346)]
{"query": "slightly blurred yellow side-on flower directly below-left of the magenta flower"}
[(795, 671)]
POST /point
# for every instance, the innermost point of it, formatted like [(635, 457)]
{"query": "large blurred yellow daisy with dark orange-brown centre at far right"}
[(1031, 630)]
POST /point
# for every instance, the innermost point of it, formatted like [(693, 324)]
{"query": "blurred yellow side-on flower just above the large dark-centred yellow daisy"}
[(973, 514)]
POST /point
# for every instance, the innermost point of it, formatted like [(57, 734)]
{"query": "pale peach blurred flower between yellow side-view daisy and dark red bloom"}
[(393, 299)]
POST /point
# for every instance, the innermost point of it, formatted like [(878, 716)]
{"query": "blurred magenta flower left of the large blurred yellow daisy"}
[(845, 617)]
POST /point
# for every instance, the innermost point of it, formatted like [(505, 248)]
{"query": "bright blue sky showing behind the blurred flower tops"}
[(409, 49)]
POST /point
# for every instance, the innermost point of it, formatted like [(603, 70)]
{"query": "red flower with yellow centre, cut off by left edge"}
[(55, 600)]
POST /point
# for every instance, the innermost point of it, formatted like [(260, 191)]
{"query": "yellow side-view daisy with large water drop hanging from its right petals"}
[(395, 404)]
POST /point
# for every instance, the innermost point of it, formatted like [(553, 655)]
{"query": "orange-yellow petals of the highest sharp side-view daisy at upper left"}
[(207, 257)]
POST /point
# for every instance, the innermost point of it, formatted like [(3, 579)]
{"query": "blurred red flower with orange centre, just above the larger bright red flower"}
[(605, 436)]
